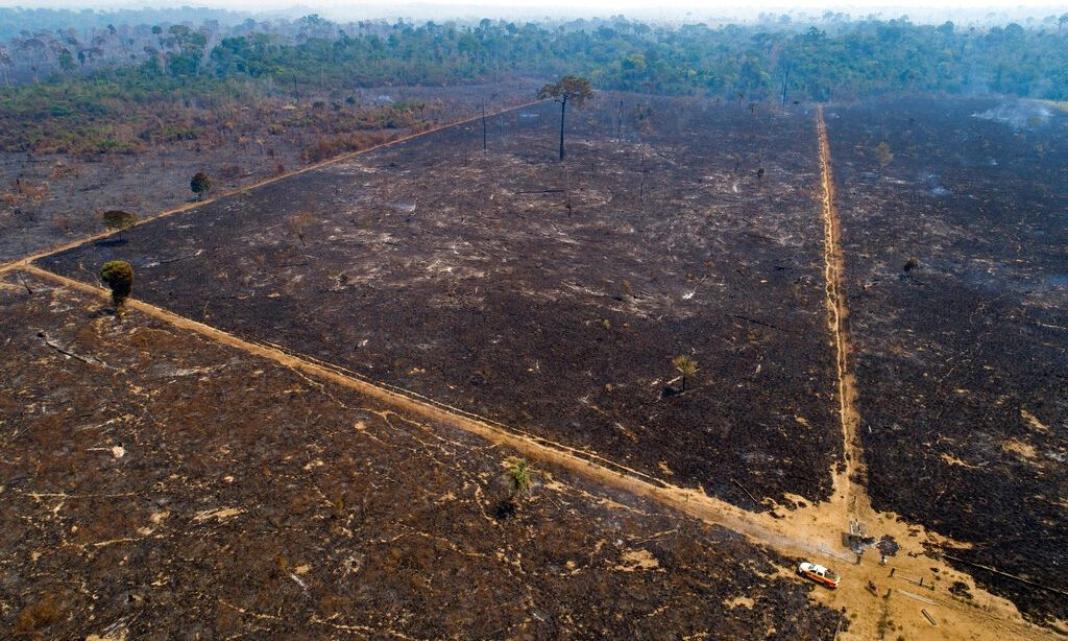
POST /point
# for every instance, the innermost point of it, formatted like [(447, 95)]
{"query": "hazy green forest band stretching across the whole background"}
[(203, 67)]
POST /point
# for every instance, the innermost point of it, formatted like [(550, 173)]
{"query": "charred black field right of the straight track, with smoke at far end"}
[(956, 248)]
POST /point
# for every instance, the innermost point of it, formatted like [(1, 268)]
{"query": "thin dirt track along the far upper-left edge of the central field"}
[(80, 242)]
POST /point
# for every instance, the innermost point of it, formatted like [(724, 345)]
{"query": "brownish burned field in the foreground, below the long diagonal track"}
[(160, 486)]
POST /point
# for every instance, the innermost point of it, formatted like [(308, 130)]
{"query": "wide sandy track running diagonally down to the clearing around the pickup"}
[(805, 533)]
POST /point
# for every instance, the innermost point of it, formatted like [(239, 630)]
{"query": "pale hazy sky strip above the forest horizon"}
[(679, 9)]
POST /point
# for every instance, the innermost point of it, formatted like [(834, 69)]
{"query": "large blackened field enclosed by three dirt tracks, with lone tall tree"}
[(549, 298)]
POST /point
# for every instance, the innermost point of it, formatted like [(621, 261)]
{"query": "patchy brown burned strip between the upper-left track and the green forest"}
[(53, 198)]
